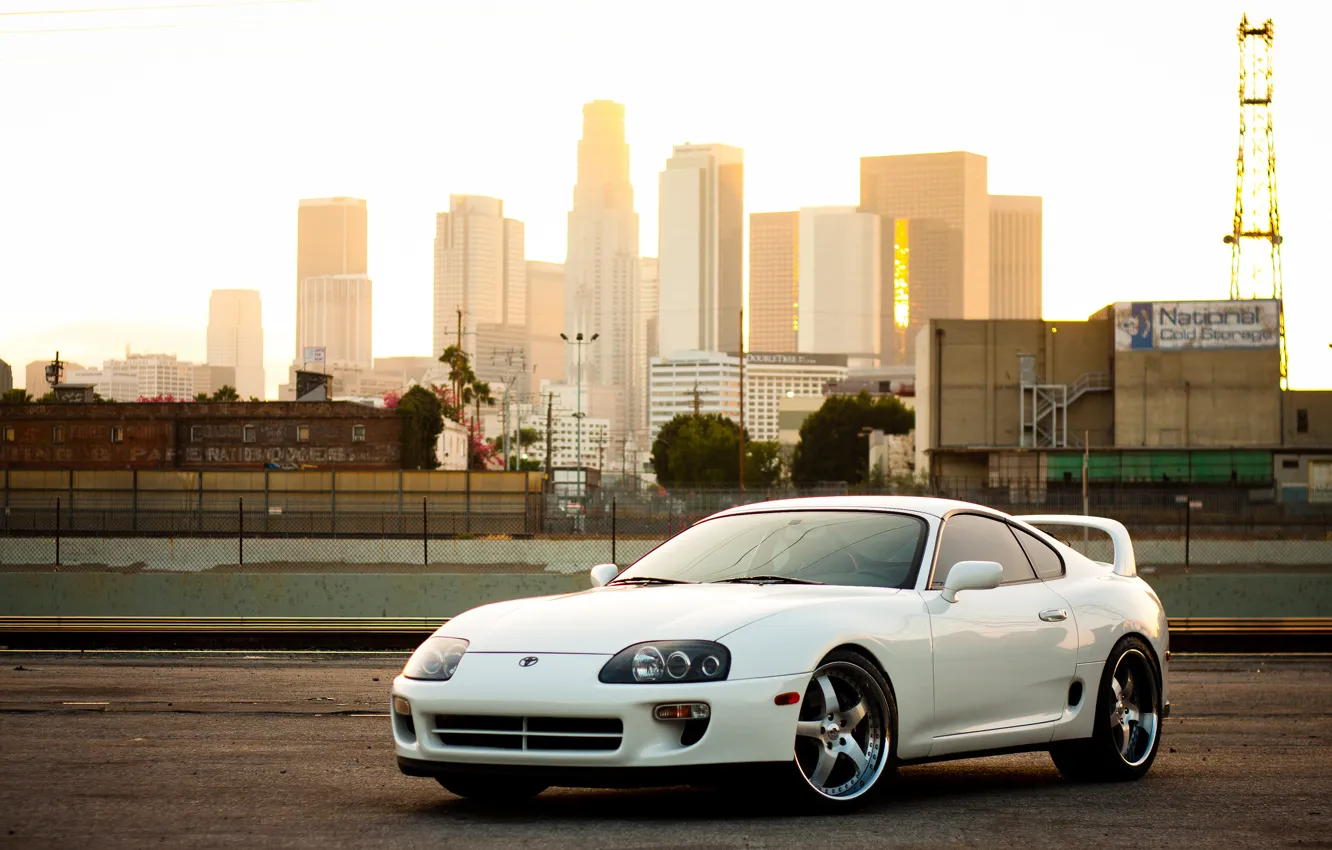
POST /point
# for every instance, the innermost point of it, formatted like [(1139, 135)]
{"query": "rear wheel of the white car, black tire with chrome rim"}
[(1128, 728)]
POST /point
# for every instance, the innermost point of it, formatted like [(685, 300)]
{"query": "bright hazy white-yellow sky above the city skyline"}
[(151, 157)]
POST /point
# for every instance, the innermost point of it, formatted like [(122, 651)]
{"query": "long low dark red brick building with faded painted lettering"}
[(199, 436)]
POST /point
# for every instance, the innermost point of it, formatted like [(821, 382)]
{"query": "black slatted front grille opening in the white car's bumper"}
[(529, 733)]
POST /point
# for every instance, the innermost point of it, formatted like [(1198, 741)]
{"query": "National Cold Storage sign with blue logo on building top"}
[(1174, 326)]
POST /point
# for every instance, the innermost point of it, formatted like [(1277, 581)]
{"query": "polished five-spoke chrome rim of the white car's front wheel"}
[(842, 737)]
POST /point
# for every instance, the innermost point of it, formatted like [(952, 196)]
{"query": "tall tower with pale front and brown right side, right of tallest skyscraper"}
[(701, 248)]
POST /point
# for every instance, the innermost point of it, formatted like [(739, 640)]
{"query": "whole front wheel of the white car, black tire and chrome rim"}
[(842, 751)]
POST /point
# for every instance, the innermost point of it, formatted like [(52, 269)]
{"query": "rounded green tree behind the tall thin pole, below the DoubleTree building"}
[(704, 451)]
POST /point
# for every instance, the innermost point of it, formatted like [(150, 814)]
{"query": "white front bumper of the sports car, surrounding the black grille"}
[(745, 727)]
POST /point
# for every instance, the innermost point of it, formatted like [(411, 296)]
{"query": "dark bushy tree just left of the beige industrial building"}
[(832, 447)]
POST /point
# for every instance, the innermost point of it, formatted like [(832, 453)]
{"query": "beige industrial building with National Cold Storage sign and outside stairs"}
[(1165, 394)]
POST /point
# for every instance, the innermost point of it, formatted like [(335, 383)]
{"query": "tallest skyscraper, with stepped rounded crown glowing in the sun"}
[(601, 268)]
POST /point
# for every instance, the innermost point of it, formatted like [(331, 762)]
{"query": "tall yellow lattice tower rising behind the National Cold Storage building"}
[(1255, 238)]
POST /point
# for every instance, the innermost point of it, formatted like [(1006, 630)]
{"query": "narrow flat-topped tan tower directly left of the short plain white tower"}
[(775, 295)]
